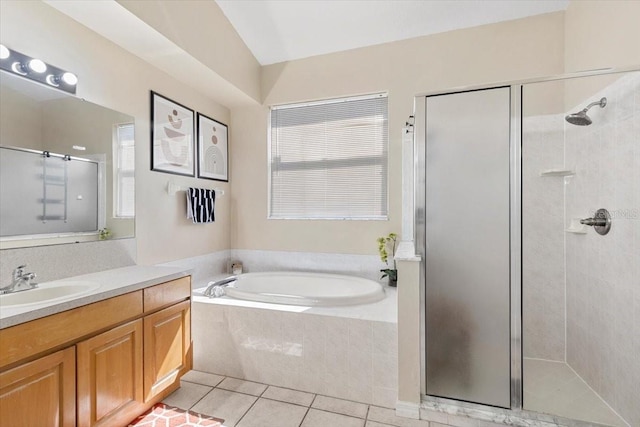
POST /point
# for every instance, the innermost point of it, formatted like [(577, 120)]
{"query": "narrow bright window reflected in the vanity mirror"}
[(124, 171)]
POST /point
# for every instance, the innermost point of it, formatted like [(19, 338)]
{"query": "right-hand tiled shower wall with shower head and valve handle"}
[(603, 272)]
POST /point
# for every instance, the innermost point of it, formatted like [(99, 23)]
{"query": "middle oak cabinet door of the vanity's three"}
[(110, 376)]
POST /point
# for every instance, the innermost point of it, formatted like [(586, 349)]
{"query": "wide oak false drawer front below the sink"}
[(48, 333)]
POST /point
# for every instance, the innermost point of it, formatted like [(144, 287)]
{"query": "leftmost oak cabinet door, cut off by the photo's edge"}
[(41, 392)]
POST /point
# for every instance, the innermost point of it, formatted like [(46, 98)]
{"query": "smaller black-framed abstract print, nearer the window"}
[(213, 149)]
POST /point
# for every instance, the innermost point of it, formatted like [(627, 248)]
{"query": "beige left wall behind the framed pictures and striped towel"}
[(112, 77)]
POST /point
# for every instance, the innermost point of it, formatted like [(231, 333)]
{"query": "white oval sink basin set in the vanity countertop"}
[(49, 292)]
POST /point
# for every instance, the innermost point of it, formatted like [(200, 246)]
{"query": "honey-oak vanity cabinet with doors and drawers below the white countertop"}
[(102, 364)]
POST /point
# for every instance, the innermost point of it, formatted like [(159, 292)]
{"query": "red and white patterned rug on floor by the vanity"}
[(161, 415)]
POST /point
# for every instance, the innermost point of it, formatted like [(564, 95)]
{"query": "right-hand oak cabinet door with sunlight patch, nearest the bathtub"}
[(167, 349)]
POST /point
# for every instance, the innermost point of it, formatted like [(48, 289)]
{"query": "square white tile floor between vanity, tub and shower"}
[(248, 404)]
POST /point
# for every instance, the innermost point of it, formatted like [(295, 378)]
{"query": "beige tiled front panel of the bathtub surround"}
[(346, 358)]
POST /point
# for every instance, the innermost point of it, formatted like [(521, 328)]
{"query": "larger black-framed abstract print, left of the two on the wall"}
[(172, 137)]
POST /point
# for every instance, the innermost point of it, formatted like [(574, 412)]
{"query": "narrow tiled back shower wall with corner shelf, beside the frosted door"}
[(543, 272)]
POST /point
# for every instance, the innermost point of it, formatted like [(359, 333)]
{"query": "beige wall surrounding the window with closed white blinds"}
[(511, 50)]
